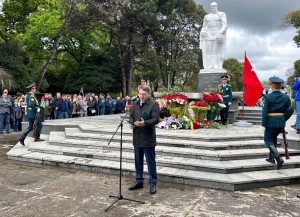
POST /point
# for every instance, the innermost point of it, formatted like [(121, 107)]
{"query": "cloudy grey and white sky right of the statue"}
[(254, 27)]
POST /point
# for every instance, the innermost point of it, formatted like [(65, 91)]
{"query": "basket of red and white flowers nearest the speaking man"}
[(176, 104)]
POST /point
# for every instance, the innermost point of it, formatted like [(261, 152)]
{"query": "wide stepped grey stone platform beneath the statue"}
[(232, 159)]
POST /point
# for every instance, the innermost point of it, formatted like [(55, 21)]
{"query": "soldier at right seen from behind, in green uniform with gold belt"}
[(276, 111)]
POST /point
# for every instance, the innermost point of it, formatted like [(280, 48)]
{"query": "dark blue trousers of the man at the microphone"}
[(139, 164)]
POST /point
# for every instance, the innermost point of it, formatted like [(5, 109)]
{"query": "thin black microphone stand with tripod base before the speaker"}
[(120, 196)]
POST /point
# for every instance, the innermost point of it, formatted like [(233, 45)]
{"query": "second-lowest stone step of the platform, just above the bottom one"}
[(182, 162)]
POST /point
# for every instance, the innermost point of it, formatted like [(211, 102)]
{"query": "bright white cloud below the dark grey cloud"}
[(270, 54)]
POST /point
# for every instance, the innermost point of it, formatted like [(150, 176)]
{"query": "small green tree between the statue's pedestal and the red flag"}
[(235, 70)]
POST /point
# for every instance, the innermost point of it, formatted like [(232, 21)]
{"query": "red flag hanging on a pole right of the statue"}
[(254, 87)]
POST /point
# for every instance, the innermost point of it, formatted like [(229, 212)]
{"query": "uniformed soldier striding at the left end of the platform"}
[(32, 109)]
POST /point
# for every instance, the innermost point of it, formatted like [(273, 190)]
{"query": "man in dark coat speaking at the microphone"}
[(144, 117)]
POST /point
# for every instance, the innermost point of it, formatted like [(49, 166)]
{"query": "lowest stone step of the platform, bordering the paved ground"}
[(235, 181)]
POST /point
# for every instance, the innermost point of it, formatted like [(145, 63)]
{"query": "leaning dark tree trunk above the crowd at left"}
[(54, 49)]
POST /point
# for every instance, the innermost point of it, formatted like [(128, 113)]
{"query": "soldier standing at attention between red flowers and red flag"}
[(225, 91)]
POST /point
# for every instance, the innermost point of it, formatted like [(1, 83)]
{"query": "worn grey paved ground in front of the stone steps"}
[(38, 190)]
